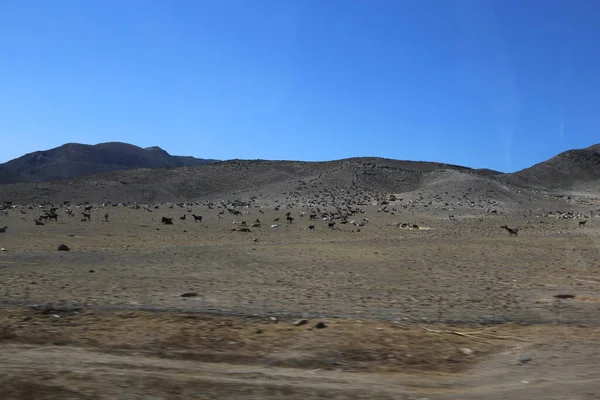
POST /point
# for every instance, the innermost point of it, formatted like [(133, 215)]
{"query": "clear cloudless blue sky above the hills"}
[(498, 84)]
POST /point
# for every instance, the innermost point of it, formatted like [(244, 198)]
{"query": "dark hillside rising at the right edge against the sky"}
[(571, 170)]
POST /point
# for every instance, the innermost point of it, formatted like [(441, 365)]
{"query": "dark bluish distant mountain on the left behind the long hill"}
[(75, 159)]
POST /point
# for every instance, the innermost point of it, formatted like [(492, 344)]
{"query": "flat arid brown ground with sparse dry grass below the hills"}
[(454, 309)]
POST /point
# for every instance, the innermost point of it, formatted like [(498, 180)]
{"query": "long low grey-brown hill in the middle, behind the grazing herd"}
[(425, 186)]
